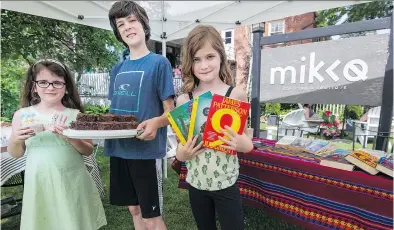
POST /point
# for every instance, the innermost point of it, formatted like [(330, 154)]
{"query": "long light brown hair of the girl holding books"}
[(196, 39)]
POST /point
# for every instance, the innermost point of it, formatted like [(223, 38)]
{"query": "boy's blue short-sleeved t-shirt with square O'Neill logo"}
[(139, 87)]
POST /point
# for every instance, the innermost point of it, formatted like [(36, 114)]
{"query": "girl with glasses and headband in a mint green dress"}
[(58, 193)]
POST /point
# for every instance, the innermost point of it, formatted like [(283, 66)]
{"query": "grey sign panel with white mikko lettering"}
[(346, 71)]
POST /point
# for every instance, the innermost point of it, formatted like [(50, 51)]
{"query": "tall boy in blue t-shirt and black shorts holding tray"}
[(141, 85)]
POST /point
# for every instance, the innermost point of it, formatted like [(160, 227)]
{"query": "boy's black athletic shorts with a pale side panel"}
[(137, 182)]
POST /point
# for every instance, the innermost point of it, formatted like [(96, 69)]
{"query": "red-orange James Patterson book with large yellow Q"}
[(224, 111)]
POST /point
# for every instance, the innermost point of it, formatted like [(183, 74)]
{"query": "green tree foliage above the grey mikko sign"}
[(354, 13)]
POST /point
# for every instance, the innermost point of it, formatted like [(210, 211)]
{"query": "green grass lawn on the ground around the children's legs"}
[(177, 212)]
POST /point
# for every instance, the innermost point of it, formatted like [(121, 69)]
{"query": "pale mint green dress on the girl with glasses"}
[(58, 193)]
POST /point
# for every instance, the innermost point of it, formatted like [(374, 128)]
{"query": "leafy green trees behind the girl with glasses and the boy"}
[(26, 38)]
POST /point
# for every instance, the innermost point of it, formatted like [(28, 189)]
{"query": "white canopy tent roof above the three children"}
[(179, 16)]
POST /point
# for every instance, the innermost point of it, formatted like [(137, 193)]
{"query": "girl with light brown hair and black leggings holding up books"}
[(212, 175)]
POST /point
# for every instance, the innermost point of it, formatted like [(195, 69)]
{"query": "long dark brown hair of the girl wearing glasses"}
[(70, 100)]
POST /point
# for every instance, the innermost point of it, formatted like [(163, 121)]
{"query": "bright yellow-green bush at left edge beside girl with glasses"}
[(12, 73)]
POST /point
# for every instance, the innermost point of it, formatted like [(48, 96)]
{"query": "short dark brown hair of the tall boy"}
[(122, 9)]
